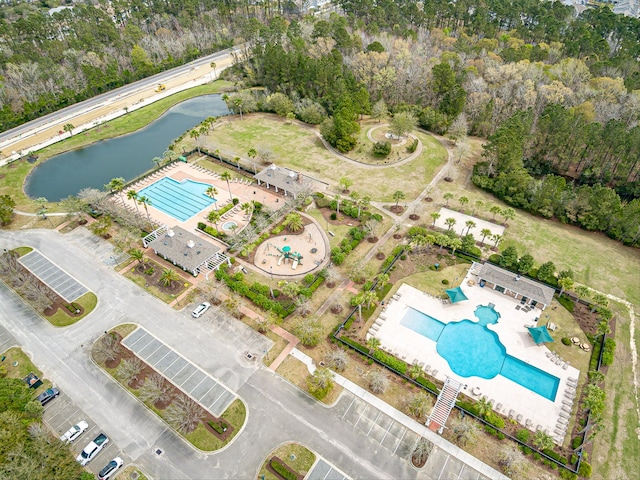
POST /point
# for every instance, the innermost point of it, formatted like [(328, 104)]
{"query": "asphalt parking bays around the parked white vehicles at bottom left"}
[(61, 414)]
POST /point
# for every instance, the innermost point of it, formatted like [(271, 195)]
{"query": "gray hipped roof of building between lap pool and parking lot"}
[(184, 248)]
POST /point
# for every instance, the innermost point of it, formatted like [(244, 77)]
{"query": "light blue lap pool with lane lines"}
[(181, 200)]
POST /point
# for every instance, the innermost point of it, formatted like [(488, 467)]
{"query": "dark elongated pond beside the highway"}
[(127, 156)]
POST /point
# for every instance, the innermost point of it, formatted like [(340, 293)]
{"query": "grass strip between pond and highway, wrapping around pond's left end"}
[(13, 175)]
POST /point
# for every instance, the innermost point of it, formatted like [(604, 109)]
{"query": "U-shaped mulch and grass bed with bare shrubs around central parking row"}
[(198, 426)]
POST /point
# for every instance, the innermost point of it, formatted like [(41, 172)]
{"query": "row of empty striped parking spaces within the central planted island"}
[(196, 383)]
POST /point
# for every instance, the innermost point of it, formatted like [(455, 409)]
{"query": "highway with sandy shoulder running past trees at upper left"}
[(45, 130)]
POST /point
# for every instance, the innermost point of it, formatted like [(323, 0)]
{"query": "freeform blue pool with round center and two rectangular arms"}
[(471, 349)]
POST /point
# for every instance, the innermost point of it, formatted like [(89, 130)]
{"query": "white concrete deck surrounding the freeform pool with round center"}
[(511, 399)]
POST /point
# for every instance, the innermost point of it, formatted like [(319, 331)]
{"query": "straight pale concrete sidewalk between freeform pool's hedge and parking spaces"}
[(406, 421)]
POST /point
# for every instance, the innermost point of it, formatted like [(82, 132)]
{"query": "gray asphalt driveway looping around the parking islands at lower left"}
[(277, 411)]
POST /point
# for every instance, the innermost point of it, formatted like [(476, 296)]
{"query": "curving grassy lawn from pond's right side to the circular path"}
[(297, 147)]
